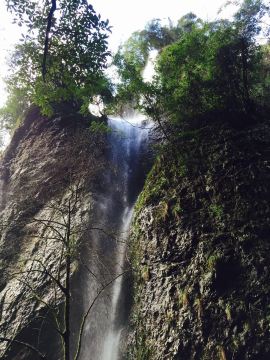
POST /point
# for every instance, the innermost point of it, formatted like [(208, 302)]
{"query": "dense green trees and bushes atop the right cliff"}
[(202, 69)]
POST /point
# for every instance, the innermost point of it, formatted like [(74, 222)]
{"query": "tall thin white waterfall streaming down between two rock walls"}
[(105, 254)]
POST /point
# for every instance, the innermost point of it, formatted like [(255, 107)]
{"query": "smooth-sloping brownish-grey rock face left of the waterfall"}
[(46, 160)]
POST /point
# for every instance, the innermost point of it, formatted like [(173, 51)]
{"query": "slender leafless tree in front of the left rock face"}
[(67, 234)]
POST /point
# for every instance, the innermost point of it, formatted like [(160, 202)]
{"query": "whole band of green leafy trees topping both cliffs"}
[(201, 68)]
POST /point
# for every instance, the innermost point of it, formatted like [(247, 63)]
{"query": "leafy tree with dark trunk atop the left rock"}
[(62, 54)]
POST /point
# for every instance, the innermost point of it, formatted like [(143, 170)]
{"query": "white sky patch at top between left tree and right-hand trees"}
[(127, 16)]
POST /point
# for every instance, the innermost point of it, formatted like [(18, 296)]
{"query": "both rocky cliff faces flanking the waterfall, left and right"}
[(200, 243)]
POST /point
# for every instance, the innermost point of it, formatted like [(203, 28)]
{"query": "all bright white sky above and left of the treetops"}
[(125, 17)]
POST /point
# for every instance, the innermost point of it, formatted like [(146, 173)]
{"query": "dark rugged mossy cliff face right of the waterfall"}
[(201, 249)]
